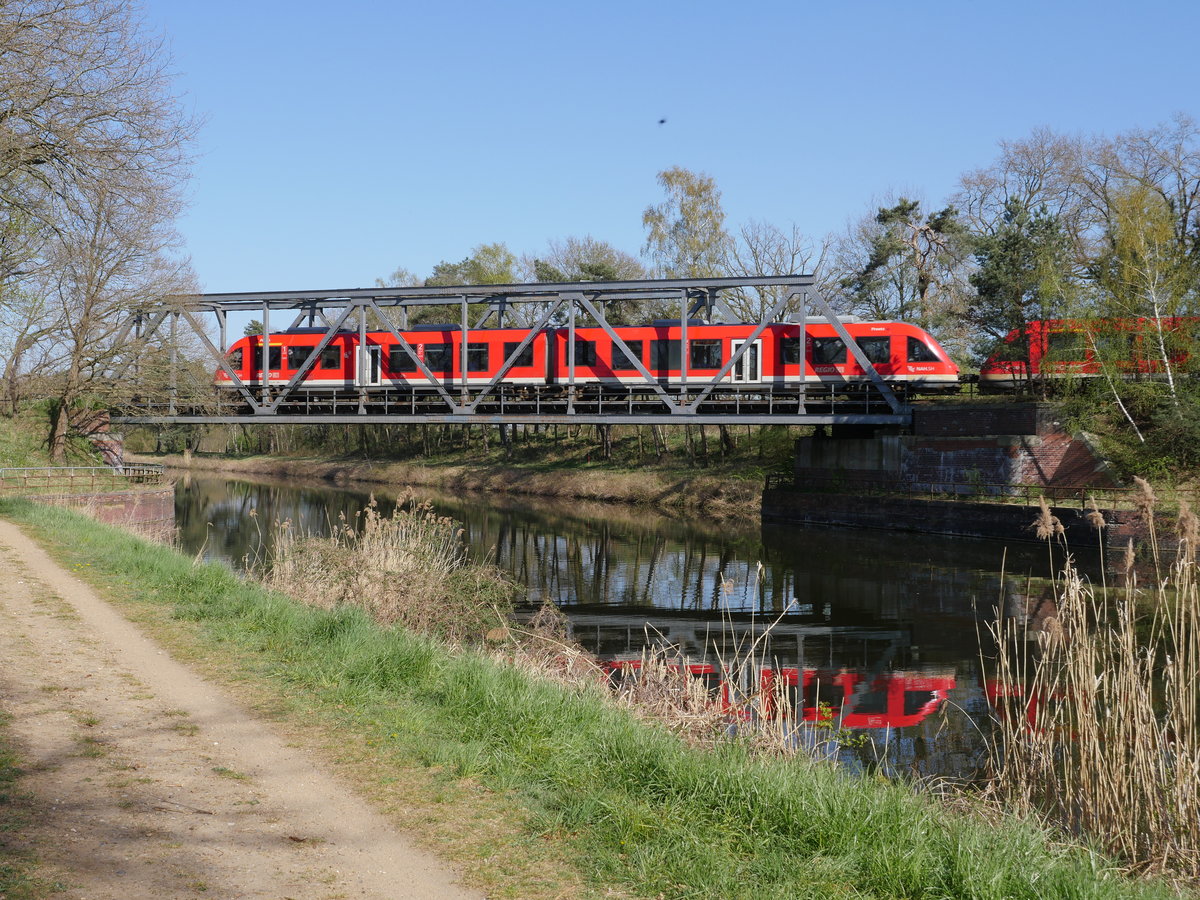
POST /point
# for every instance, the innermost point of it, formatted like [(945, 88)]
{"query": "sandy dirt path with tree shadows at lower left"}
[(147, 782)]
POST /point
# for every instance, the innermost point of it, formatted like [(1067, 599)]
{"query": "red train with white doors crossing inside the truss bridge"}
[(904, 356)]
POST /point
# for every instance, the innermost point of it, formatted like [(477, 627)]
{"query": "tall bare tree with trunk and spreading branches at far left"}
[(94, 148)]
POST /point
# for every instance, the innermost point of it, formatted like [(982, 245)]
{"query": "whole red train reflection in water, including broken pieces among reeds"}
[(849, 699)]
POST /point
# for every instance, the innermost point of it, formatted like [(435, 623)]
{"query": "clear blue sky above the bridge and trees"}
[(345, 140)]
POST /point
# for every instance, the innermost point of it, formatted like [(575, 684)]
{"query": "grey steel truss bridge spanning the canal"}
[(701, 400)]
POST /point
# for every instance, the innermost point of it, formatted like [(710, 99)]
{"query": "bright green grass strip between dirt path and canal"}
[(625, 803)]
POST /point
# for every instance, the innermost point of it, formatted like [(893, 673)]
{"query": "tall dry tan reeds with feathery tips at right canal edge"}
[(1100, 710)]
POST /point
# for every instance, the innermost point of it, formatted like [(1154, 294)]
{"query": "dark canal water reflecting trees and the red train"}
[(887, 632)]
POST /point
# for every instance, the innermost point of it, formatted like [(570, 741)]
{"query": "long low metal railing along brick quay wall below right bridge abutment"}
[(985, 491)]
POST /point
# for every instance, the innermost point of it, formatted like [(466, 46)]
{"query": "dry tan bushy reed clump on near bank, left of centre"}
[(410, 569)]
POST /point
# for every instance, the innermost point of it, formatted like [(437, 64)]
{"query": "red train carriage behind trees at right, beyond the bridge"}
[(1119, 347)]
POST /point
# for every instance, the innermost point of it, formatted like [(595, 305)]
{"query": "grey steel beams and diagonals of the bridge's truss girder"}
[(461, 401)]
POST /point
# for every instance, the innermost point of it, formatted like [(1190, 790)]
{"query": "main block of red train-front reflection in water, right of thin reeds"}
[(853, 700)]
